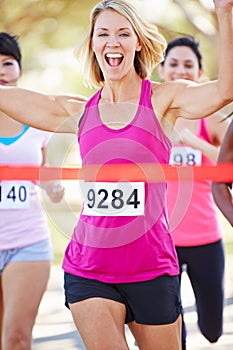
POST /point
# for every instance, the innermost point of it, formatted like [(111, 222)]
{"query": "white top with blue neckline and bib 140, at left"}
[(22, 219)]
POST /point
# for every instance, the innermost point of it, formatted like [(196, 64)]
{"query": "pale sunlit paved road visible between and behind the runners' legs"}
[(54, 328)]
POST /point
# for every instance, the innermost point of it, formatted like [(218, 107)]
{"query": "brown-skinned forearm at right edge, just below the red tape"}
[(223, 199)]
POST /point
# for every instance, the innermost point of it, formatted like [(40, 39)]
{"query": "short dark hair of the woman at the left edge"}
[(9, 46)]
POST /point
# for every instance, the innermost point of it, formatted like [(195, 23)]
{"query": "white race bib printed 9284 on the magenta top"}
[(113, 198)]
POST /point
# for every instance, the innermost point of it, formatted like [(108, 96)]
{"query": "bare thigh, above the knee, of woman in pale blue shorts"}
[(23, 285)]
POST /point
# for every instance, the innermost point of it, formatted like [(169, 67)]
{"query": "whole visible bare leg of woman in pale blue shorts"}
[(23, 285)]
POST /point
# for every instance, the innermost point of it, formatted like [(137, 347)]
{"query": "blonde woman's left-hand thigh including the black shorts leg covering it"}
[(98, 312)]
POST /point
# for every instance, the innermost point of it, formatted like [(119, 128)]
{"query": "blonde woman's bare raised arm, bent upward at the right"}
[(191, 100)]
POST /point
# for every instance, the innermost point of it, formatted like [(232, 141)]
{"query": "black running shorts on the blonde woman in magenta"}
[(153, 302)]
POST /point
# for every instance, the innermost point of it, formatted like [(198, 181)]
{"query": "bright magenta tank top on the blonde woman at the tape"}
[(111, 244)]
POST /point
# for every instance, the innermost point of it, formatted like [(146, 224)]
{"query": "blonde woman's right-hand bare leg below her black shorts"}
[(157, 337)]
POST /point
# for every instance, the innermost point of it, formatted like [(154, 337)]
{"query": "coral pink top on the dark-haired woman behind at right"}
[(194, 218)]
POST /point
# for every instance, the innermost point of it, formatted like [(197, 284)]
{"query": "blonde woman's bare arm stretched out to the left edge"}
[(52, 113)]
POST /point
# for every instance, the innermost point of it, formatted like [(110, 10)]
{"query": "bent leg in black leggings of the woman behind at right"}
[(206, 273)]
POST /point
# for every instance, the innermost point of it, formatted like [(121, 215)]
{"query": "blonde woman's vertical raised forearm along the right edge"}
[(225, 74)]
